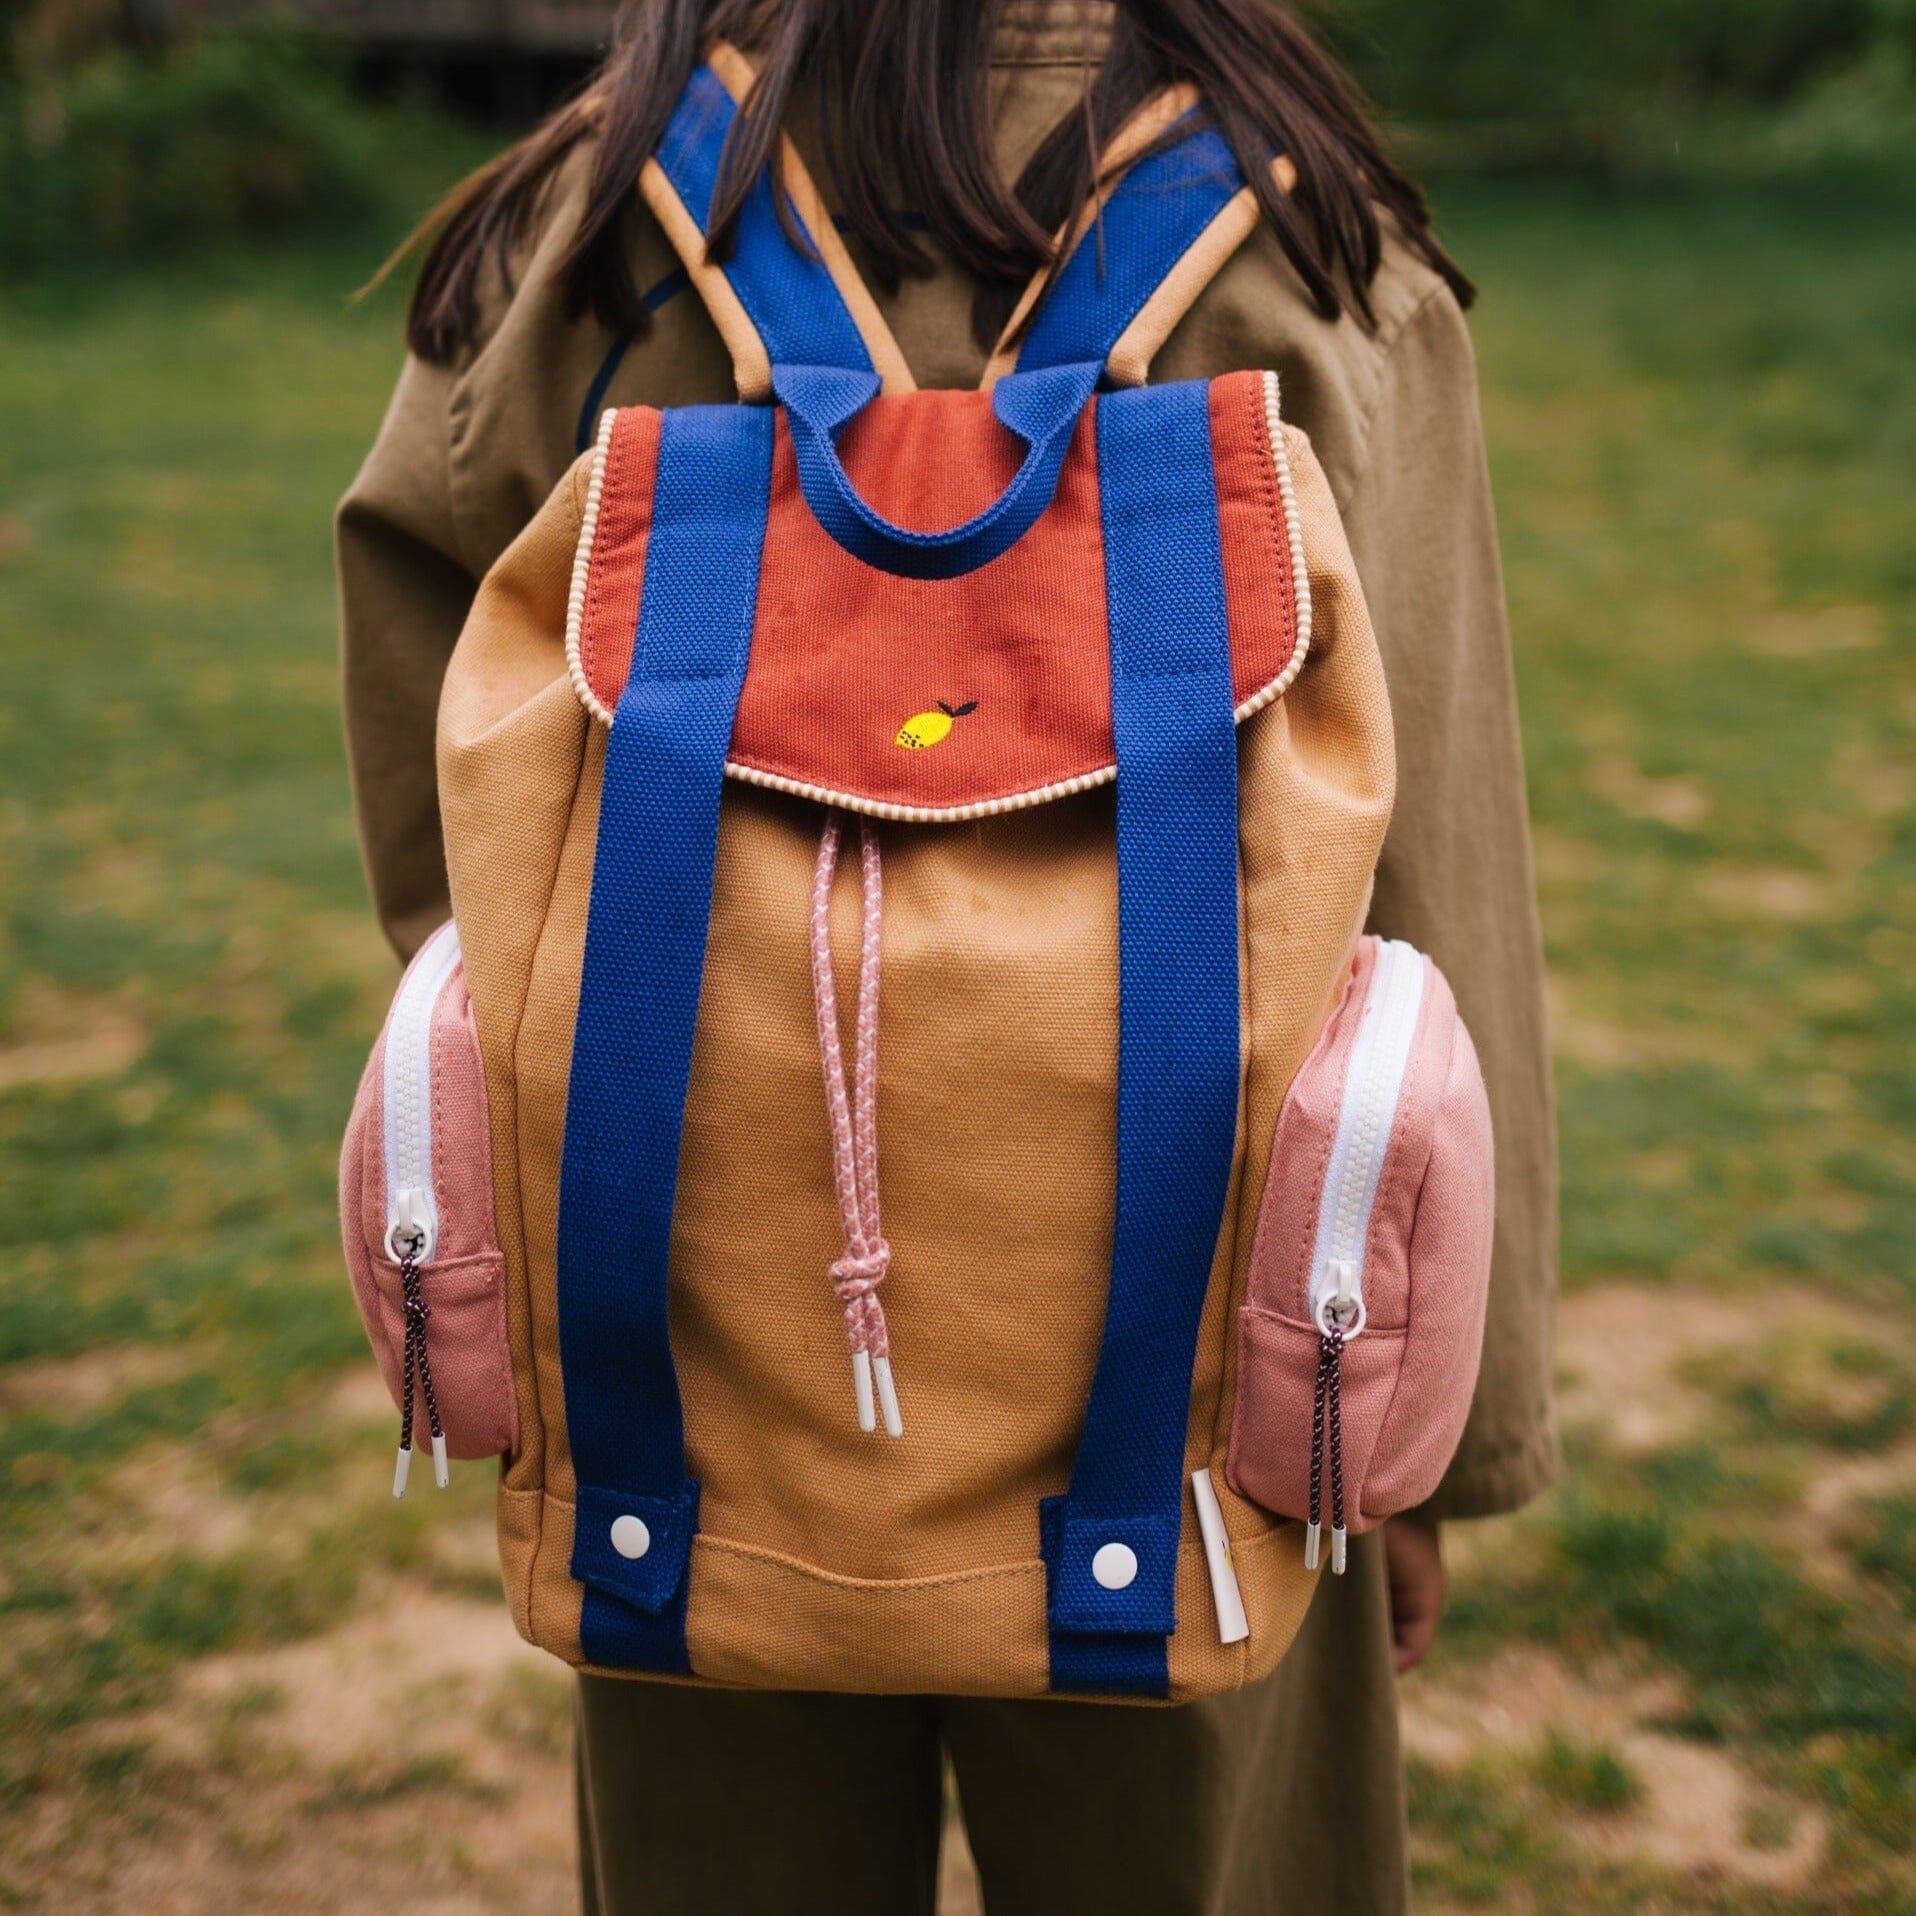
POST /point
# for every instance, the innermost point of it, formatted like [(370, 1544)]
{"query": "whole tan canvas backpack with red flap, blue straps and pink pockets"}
[(905, 1149)]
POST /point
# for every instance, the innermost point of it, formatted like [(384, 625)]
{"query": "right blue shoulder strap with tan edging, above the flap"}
[(1149, 225)]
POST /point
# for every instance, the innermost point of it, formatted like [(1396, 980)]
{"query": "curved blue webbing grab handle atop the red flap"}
[(1039, 407)]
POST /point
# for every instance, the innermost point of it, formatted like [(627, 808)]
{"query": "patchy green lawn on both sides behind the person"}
[(1704, 434)]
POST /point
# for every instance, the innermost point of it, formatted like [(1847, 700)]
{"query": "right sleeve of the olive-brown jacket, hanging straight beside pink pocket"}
[(1457, 861)]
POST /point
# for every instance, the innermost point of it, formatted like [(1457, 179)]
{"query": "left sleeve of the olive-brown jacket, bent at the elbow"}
[(403, 597)]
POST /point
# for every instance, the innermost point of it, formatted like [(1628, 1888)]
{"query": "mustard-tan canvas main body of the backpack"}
[(857, 1564)]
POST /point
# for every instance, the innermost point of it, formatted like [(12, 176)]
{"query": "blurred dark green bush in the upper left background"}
[(246, 133)]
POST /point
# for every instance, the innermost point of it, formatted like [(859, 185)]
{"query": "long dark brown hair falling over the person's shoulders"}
[(903, 116)]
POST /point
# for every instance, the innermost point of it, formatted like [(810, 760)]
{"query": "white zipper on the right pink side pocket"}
[(1365, 1122)]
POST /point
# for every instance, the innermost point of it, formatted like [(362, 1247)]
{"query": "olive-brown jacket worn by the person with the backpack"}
[(470, 451)]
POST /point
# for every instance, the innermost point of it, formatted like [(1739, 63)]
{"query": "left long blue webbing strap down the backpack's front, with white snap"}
[(639, 999)]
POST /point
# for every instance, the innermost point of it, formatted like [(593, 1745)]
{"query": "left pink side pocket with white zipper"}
[(417, 1216)]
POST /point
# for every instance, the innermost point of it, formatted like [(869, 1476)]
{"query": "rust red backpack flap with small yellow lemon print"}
[(940, 698)]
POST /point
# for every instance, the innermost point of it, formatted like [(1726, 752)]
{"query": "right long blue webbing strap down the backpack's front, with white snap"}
[(1177, 1061)]
